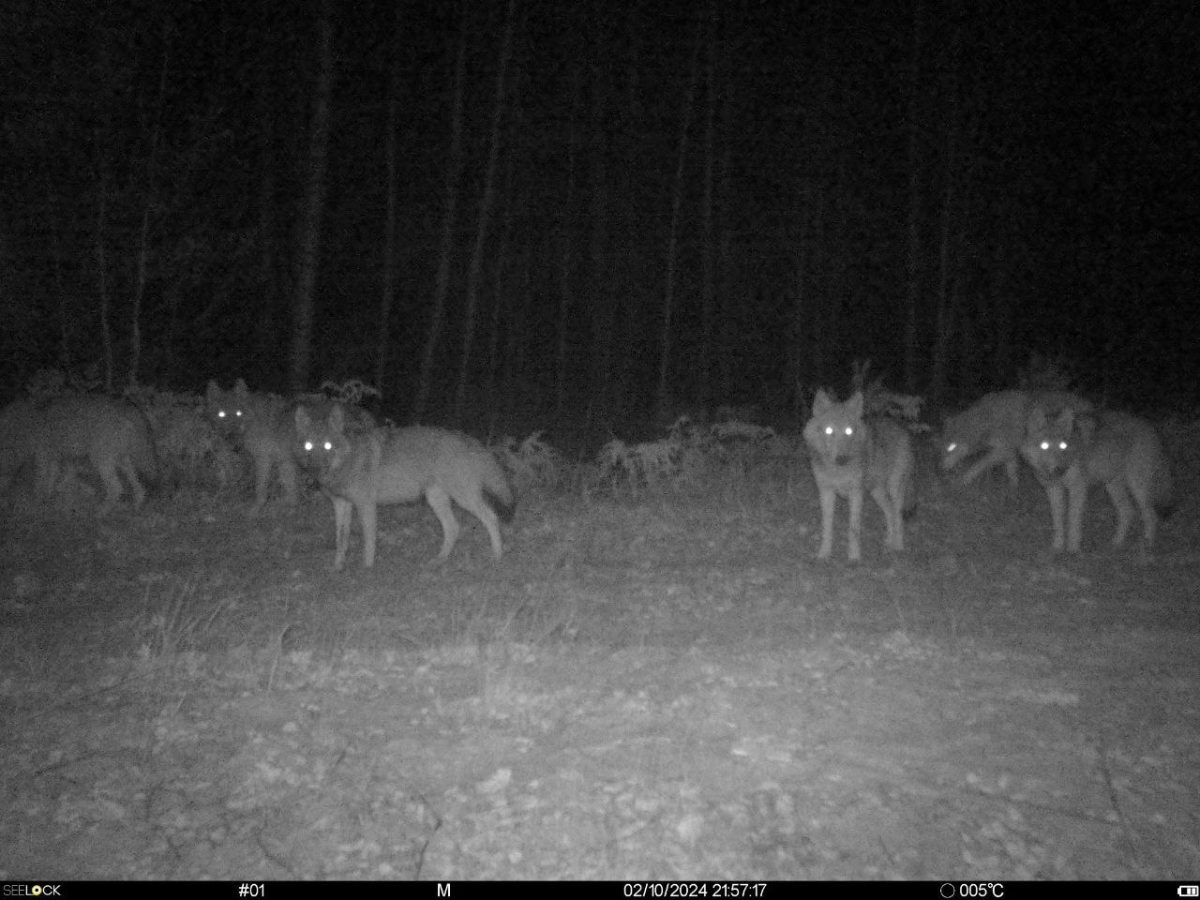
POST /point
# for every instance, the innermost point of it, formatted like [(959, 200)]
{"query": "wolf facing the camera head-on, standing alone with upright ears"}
[(853, 454)]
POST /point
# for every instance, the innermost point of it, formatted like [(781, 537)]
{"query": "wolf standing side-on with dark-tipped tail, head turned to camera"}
[(388, 466)]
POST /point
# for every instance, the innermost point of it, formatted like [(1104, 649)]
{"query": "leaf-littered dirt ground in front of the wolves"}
[(670, 688)]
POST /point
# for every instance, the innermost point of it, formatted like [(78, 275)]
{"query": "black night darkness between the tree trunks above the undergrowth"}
[(1027, 178)]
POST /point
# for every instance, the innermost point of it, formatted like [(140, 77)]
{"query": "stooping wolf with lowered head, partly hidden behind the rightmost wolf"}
[(995, 428)]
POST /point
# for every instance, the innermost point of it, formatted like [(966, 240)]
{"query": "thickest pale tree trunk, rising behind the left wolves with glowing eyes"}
[(314, 206)]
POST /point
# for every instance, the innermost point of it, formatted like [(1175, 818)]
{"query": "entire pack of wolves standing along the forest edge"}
[(1070, 445)]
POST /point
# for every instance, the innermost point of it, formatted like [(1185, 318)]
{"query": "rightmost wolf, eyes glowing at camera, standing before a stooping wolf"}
[(1071, 452)]
